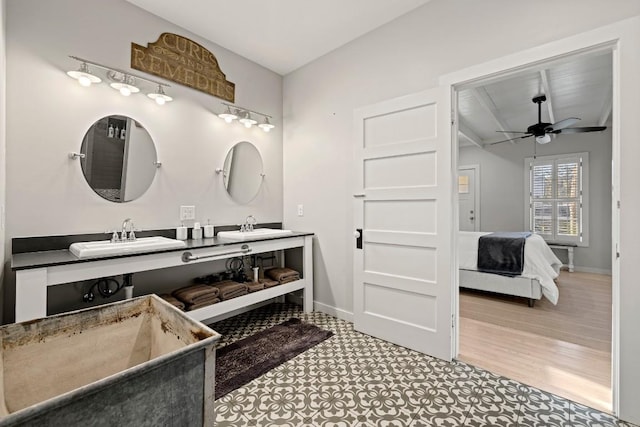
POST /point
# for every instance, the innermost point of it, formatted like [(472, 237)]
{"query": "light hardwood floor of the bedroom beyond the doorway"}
[(564, 349)]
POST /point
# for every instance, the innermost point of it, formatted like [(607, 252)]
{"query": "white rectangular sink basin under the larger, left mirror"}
[(106, 247)]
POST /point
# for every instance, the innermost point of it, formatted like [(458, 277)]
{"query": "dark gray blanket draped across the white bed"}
[(502, 253)]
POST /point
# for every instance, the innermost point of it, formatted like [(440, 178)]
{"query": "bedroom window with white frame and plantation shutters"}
[(557, 195)]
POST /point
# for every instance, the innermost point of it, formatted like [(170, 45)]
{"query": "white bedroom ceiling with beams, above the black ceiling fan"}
[(575, 87)]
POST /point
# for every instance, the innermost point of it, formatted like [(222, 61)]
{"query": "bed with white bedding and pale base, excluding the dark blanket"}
[(541, 266)]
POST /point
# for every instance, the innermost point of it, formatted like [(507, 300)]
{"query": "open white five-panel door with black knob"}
[(403, 219)]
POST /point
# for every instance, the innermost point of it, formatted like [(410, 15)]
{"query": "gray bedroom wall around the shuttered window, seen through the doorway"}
[(502, 198)]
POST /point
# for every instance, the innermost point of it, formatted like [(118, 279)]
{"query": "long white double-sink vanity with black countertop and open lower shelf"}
[(67, 259)]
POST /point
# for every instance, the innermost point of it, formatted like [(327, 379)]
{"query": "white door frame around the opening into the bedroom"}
[(605, 38)]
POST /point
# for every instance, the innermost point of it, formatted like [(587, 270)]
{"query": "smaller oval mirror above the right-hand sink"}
[(242, 172)]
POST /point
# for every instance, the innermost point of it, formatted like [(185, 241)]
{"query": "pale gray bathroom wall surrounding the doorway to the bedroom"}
[(408, 55)]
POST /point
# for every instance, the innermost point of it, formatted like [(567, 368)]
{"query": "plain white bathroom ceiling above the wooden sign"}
[(281, 35)]
